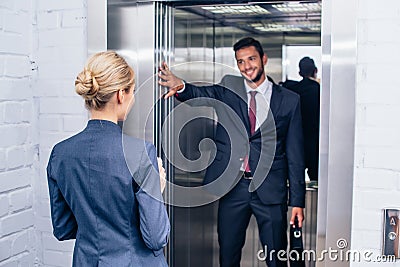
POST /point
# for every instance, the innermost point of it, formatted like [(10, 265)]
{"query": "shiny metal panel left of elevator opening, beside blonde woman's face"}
[(136, 43)]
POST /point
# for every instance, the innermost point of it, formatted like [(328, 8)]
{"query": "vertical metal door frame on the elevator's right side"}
[(339, 42)]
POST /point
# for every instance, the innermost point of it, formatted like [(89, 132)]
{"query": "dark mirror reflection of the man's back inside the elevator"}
[(309, 90)]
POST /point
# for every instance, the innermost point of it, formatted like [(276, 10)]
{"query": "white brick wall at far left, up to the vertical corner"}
[(18, 144)]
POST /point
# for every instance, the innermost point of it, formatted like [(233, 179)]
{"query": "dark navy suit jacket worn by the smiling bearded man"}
[(276, 149)]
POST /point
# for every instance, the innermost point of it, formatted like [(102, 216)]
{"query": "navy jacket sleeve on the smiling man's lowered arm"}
[(295, 158)]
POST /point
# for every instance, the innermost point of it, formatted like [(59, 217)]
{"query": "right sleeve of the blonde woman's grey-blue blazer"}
[(154, 222)]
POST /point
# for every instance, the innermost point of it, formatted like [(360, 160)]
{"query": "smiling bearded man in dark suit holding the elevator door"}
[(254, 161)]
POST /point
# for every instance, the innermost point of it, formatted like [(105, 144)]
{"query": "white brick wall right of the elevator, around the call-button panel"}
[(377, 146)]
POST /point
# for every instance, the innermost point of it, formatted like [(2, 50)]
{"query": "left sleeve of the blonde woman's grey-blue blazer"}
[(63, 220)]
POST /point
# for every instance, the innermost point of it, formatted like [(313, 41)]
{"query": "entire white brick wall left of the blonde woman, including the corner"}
[(42, 48)]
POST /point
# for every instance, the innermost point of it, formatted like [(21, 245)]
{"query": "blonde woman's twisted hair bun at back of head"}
[(86, 85)]
